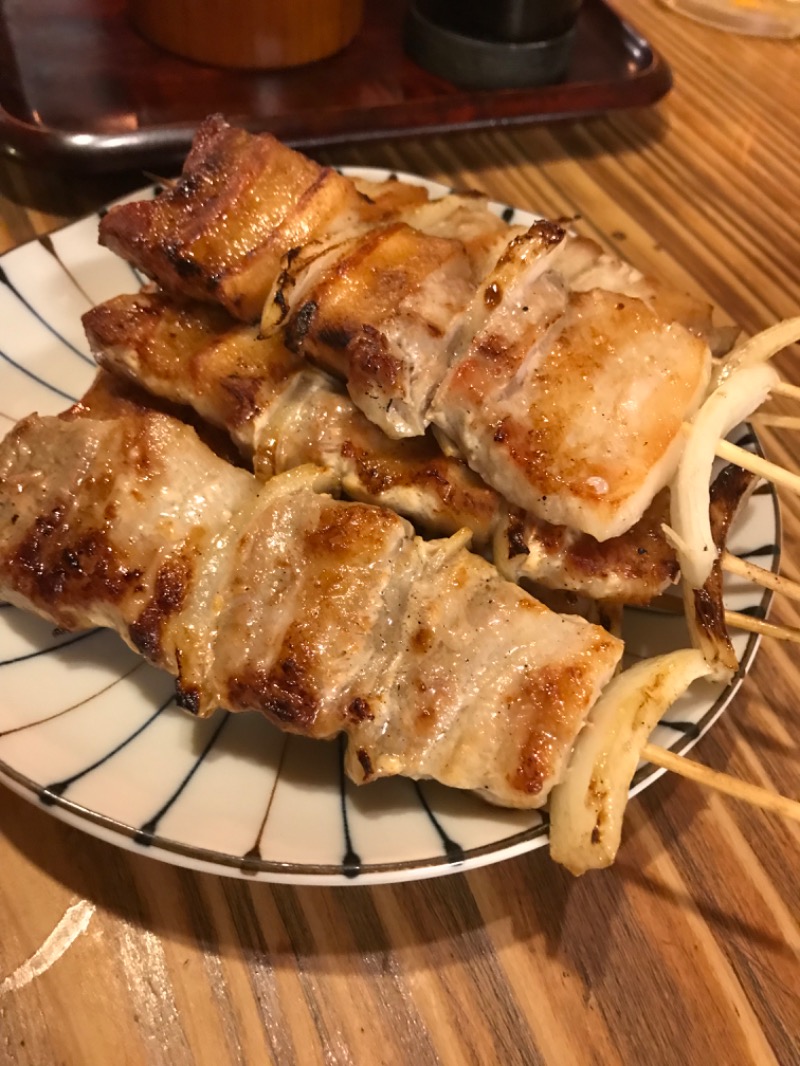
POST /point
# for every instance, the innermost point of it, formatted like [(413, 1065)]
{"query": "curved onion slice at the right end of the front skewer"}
[(587, 807)]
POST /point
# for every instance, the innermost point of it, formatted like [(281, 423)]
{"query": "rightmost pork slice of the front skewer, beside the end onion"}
[(486, 696)]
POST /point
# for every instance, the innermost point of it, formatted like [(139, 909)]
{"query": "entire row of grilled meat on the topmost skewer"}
[(165, 237)]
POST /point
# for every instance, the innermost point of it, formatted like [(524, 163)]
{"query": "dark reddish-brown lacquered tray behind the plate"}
[(79, 89)]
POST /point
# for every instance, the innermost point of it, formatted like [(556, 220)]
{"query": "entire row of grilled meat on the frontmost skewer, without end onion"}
[(300, 664)]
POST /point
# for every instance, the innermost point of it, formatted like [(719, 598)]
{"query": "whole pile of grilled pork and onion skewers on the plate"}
[(562, 386)]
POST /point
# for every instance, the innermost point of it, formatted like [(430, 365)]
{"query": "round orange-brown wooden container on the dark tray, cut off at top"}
[(263, 35)]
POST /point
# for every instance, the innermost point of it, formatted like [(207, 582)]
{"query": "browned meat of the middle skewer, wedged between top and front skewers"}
[(281, 412)]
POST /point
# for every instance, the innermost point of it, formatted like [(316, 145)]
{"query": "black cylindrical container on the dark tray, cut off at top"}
[(494, 44)]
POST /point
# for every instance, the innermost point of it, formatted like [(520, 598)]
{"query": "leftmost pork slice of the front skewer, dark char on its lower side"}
[(107, 523)]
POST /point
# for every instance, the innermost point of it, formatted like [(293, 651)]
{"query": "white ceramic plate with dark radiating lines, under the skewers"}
[(92, 733)]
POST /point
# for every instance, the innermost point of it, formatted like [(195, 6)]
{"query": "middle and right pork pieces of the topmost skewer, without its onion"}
[(566, 397)]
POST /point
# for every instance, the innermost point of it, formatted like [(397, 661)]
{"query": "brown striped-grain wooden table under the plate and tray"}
[(687, 950)]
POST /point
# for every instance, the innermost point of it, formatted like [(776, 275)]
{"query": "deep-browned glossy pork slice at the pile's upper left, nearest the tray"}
[(220, 233)]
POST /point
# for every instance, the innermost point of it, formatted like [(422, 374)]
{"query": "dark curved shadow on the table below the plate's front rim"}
[(466, 919)]
